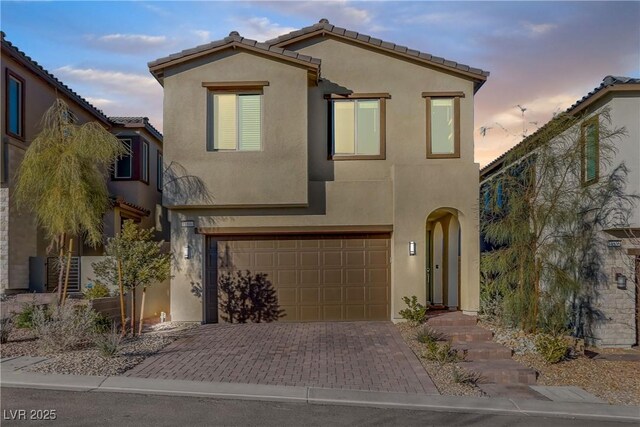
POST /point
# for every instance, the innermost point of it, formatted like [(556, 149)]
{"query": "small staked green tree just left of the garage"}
[(133, 261)]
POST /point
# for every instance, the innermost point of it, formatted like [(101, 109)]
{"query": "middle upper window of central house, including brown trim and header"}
[(358, 126)]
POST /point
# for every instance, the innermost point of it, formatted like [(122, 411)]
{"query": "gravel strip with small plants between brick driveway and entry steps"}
[(442, 375)]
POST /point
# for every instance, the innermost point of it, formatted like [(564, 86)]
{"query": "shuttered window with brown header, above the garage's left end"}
[(234, 116)]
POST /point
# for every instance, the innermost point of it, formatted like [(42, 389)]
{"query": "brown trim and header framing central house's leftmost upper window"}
[(232, 88)]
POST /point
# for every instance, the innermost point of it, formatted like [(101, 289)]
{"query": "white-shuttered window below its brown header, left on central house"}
[(235, 122)]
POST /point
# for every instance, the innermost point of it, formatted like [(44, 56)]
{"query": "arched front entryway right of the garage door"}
[(443, 258)]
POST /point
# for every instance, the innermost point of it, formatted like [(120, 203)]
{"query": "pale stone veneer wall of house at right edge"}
[(618, 329)]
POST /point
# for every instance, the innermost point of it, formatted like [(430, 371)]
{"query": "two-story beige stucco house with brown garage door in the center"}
[(339, 164)]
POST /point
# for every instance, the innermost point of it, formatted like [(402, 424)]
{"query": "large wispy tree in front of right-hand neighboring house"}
[(545, 221)]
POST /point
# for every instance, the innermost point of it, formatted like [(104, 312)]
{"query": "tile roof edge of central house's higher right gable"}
[(325, 26)]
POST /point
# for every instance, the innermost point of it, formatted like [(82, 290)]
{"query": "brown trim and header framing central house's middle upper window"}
[(382, 99)]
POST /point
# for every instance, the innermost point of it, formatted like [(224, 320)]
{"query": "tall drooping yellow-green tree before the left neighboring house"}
[(63, 180)]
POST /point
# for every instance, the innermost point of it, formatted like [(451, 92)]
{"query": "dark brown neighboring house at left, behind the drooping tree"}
[(28, 90)]
